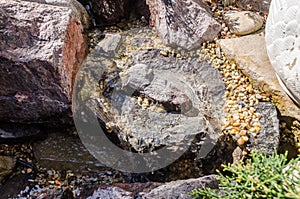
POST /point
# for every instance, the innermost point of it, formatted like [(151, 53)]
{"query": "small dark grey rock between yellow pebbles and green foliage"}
[(268, 138)]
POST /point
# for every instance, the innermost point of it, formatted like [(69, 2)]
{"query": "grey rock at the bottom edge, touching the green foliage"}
[(181, 188)]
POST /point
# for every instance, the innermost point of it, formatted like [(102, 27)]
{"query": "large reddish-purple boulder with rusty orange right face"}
[(42, 45)]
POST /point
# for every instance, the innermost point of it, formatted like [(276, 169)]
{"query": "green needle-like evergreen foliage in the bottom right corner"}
[(260, 177)]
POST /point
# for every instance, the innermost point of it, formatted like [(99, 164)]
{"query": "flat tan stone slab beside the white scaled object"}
[(258, 67)]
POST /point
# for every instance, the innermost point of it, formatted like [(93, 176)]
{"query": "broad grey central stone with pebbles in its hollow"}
[(175, 100)]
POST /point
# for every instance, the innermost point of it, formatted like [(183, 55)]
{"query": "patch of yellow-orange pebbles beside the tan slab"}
[(240, 121)]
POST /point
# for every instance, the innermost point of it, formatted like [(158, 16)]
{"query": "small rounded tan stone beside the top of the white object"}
[(243, 22)]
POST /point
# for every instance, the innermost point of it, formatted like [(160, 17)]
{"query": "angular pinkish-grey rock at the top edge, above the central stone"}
[(185, 24)]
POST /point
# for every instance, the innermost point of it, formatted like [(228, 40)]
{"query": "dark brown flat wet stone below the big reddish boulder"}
[(63, 152)]
